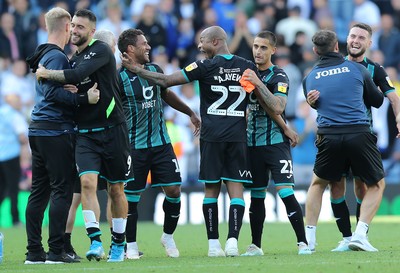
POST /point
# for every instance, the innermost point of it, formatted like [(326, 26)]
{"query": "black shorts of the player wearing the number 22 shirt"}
[(226, 161)]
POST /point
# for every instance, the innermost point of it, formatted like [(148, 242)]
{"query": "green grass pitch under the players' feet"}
[(279, 245)]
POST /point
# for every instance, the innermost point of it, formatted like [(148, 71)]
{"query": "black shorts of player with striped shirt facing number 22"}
[(161, 162)]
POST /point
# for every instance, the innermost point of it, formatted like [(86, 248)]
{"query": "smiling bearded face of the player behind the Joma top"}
[(358, 41)]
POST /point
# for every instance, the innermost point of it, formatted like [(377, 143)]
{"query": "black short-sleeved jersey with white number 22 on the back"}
[(223, 101)]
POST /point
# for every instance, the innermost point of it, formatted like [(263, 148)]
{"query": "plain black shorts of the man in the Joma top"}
[(336, 153)]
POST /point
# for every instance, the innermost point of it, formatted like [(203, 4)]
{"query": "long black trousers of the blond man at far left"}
[(53, 174)]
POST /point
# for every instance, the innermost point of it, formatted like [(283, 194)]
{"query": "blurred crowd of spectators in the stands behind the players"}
[(172, 28)]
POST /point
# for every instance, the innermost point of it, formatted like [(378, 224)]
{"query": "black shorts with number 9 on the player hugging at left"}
[(106, 153)]
